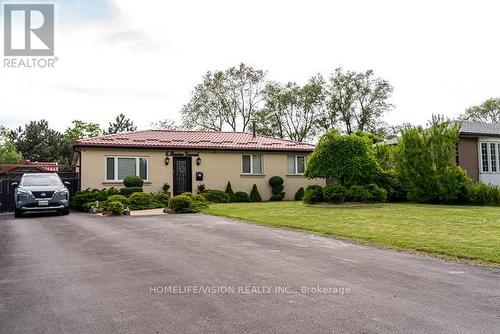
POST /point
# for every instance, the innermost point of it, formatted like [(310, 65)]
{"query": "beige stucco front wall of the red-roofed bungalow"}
[(218, 168)]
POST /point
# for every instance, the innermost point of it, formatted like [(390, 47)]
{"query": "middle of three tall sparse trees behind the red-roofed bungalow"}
[(291, 110)]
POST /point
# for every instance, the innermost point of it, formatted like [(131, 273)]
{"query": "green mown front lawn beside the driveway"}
[(456, 232)]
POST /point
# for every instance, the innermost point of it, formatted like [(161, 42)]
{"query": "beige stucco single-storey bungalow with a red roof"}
[(186, 159)]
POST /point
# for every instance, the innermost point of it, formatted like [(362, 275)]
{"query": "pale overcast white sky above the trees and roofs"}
[(143, 58)]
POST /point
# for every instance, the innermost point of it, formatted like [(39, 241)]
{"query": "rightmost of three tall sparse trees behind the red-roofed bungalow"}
[(355, 101)]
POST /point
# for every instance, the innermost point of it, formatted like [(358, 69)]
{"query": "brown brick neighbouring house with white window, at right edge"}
[(478, 151)]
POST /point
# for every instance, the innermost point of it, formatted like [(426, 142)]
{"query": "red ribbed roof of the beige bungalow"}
[(195, 140)]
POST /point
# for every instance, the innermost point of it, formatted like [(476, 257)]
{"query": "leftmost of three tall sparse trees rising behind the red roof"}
[(230, 98)]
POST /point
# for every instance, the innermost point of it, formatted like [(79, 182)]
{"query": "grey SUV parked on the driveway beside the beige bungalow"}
[(41, 192)]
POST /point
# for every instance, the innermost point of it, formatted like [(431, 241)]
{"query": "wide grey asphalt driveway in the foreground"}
[(193, 273)]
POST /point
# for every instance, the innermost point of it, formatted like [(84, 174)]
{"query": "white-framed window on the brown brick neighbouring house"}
[(489, 160)]
